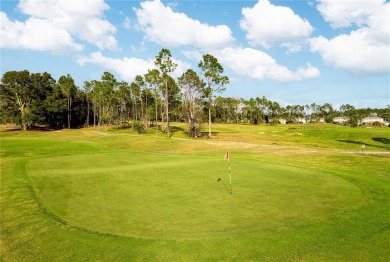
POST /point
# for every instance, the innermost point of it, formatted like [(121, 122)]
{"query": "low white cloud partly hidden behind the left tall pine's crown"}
[(128, 68)]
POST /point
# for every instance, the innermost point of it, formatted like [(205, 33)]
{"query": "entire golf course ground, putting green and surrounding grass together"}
[(303, 192)]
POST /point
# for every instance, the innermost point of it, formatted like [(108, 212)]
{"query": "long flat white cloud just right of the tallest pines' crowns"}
[(259, 65)]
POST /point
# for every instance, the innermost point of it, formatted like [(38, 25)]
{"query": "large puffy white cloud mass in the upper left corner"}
[(54, 26)]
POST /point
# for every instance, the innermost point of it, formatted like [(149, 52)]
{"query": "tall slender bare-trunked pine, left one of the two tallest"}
[(166, 65)]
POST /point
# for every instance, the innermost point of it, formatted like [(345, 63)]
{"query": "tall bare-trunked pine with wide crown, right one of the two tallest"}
[(215, 81)]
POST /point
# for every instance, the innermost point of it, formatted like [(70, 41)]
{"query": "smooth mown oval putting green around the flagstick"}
[(152, 195)]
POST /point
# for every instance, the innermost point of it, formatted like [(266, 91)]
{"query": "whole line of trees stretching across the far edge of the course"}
[(30, 99)]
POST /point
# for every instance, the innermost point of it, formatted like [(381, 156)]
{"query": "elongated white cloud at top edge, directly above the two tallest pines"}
[(168, 28)]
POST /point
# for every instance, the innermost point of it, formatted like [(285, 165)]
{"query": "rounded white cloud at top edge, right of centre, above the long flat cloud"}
[(266, 24)]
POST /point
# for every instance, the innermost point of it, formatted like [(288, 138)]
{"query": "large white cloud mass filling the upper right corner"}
[(362, 51)]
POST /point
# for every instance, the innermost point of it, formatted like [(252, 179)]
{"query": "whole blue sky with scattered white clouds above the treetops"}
[(292, 52)]
